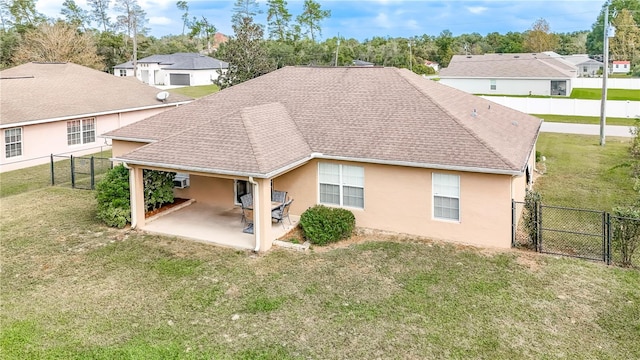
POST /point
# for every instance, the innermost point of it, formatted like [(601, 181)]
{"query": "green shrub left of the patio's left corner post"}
[(112, 195)]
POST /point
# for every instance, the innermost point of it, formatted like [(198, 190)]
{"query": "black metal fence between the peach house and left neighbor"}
[(79, 172)]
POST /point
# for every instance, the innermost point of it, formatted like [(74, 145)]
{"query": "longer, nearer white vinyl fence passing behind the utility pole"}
[(576, 107)]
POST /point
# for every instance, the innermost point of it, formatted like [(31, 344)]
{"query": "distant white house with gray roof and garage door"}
[(179, 69)]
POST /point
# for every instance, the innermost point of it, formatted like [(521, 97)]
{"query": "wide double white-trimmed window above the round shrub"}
[(341, 185)]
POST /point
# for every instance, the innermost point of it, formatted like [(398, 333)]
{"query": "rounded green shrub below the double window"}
[(322, 225)]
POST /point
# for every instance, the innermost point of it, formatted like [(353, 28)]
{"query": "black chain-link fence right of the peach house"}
[(581, 233)]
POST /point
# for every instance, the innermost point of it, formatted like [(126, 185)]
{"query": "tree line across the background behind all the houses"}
[(92, 38)]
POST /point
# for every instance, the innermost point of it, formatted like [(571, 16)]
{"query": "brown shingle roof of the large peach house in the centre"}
[(372, 114)]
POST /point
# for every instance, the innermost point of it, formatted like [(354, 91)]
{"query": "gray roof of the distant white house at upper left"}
[(179, 61)]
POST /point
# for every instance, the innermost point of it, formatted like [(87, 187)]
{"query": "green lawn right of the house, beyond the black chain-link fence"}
[(581, 173)]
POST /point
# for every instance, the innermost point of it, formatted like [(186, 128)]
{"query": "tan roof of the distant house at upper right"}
[(537, 66)]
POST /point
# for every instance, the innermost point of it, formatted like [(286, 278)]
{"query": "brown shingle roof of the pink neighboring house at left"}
[(42, 91)]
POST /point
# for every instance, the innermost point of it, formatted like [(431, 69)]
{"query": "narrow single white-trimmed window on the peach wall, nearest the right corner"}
[(446, 196)]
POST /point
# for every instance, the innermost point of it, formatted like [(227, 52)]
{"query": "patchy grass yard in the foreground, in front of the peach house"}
[(73, 289)]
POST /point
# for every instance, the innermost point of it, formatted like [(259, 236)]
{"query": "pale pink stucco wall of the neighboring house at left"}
[(39, 141)]
